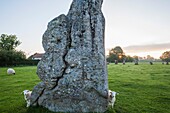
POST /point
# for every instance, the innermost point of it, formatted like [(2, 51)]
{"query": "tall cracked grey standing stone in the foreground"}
[(73, 68)]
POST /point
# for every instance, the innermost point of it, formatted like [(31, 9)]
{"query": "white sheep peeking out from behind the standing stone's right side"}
[(112, 97)]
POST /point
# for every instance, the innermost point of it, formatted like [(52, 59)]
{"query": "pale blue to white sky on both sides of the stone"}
[(140, 27)]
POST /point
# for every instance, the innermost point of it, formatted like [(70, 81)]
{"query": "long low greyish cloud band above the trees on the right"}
[(147, 48)]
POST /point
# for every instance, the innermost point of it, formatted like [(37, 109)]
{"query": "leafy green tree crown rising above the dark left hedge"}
[(8, 42)]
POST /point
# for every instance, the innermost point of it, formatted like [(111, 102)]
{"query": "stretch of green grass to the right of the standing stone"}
[(142, 88)]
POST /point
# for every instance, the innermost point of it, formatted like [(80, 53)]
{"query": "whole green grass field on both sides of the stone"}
[(142, 88)]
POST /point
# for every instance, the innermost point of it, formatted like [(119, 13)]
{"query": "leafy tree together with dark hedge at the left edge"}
[(9, 56)]
